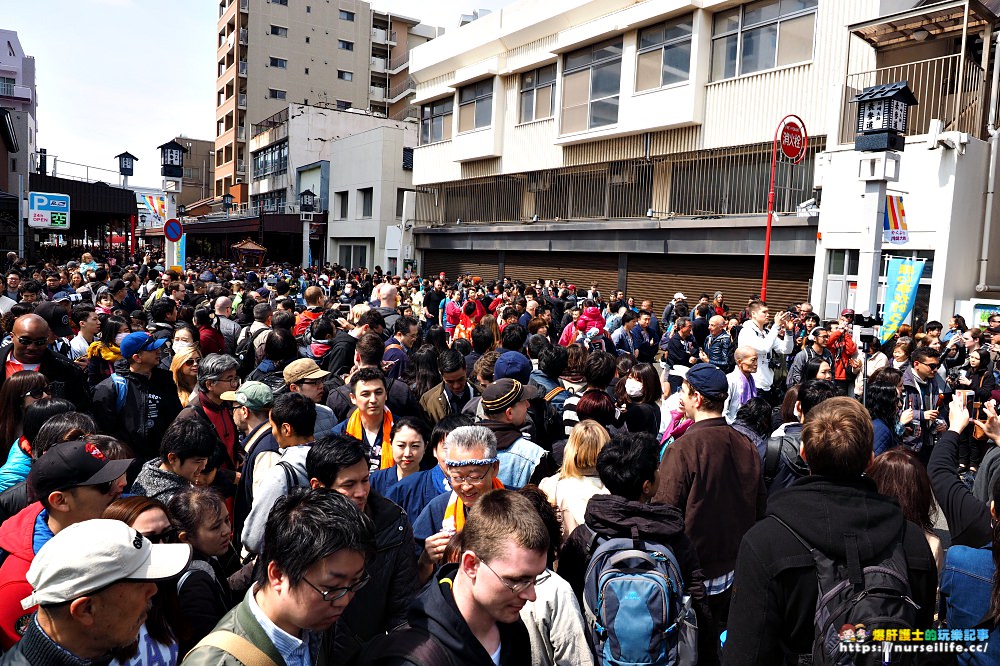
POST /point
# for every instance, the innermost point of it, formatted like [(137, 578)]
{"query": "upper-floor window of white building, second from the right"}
[(664, 54)]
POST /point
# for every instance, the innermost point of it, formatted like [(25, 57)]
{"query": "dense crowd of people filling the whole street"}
[(278, 465)]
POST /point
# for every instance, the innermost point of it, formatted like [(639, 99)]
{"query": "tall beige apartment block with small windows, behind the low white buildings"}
[(272, 53)]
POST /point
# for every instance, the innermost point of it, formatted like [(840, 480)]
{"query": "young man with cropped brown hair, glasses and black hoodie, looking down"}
[(470, 613)]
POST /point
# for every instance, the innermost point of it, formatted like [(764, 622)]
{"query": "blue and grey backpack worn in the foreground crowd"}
[(635, 604)]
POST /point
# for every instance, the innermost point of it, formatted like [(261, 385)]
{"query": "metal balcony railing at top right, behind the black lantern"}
[(946, 88)]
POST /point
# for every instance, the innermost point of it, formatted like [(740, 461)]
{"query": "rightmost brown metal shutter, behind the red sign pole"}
[(659, 277)]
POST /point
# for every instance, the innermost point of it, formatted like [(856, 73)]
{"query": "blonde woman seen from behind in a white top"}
[(577, 480)]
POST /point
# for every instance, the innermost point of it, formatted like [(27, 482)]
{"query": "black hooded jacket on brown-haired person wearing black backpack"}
[(774, 594)]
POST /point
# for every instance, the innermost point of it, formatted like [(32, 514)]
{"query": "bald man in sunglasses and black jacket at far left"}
[(29, 350)]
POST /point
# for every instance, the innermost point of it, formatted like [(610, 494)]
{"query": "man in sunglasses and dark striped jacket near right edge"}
[(923, 390)]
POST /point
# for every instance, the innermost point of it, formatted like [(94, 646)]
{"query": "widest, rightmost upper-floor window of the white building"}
[(762, 35)]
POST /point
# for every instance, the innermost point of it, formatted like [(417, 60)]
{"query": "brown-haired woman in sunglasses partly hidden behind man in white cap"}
[(158, 635)]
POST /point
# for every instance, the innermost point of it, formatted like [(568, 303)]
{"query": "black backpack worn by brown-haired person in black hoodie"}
[(877, 595)]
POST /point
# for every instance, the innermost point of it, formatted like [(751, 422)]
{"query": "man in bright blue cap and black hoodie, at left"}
[(137, 405)]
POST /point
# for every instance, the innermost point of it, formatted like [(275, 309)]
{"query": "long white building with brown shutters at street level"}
[(630, 141)]
